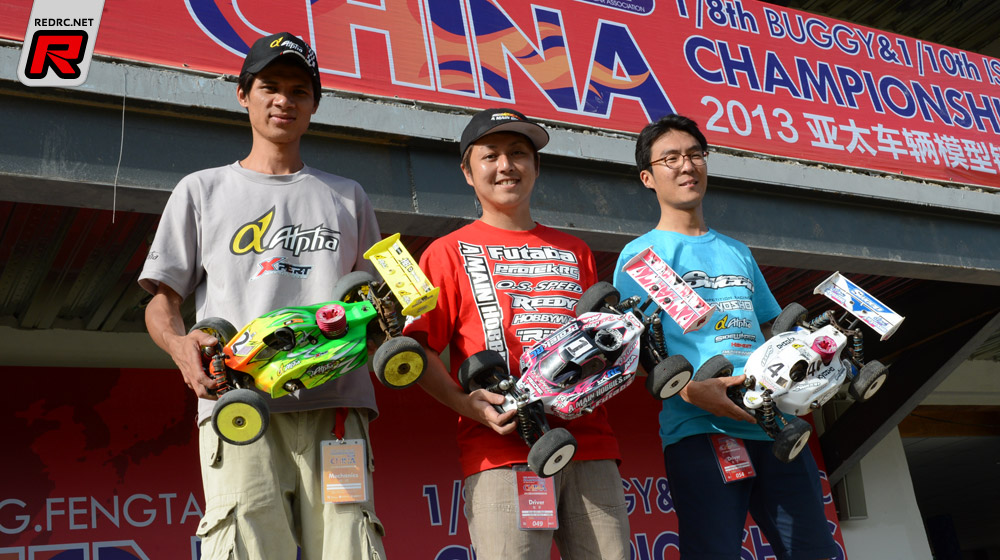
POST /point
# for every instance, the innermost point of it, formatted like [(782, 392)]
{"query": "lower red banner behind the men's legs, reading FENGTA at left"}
[(103, 463)]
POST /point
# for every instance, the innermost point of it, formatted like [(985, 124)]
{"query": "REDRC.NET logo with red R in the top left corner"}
[(59, 42)]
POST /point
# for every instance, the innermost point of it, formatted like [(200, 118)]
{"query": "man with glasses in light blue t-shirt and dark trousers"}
[(702, 432)]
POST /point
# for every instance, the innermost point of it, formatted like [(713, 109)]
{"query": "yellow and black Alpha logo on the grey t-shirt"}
[(257, 237)]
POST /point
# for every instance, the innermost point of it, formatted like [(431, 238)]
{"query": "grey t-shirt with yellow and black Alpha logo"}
[(246, 243)]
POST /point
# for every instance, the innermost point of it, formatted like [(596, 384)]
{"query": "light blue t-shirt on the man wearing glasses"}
[(724, 273)]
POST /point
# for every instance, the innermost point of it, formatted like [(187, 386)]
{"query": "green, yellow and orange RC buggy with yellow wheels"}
[(302, 347)]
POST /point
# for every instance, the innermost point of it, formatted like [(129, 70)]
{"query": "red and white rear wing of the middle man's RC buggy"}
[(669, 290)]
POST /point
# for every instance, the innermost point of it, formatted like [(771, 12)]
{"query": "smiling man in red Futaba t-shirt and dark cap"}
[(506, 282)]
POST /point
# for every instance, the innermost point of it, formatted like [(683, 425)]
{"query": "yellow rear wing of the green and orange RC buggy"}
[(403, 276)]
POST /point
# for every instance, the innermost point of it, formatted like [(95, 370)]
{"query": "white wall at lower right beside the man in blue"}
[(893, 529)]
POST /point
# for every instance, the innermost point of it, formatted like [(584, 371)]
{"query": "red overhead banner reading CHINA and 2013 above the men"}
[(757, 77)]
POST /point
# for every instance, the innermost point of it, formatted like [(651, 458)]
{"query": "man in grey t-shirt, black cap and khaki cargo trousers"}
[(266, 232)]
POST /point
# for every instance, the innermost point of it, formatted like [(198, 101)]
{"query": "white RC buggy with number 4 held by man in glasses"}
[(807, 362)]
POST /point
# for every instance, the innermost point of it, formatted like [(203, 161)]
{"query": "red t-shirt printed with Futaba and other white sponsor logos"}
[(507, 290)]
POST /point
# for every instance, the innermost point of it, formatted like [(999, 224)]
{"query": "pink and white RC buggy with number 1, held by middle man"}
[(590, 359)]
